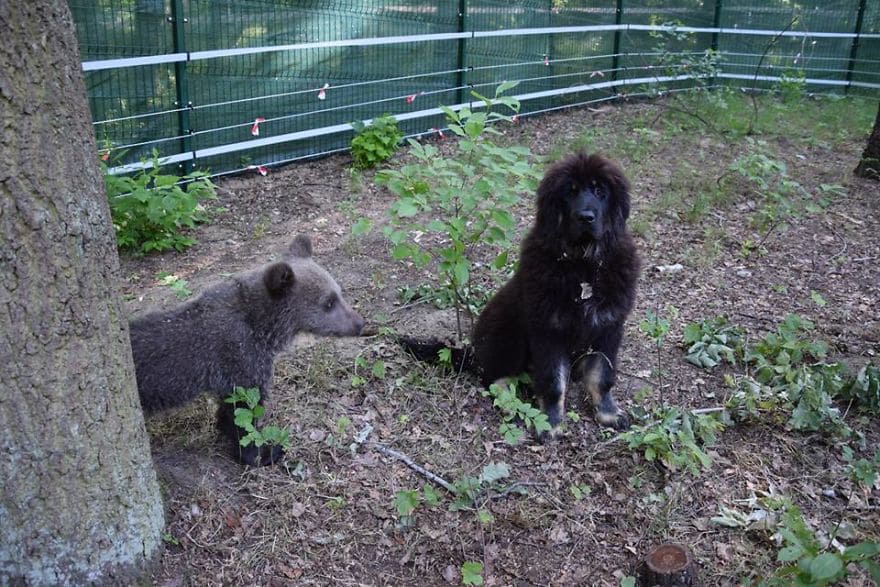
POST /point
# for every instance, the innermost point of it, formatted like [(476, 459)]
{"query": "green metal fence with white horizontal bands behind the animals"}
[(230, 85)]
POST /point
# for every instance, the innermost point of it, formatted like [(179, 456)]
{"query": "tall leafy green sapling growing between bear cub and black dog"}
[(462, 202)]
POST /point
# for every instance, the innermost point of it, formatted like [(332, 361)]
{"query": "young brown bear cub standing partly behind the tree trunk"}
[(230, 335)]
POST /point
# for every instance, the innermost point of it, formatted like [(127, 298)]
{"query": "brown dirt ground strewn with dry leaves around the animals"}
[(580, 511)]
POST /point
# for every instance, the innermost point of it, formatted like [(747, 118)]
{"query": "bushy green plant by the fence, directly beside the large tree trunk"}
[(151, 211)]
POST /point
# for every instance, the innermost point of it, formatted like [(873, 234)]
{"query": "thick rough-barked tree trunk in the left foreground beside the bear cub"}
[(80, 502)]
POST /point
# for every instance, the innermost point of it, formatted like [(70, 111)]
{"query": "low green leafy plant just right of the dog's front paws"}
[(676, 438)]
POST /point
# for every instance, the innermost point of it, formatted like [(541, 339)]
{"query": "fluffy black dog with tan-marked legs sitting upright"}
[(561, 316)]
